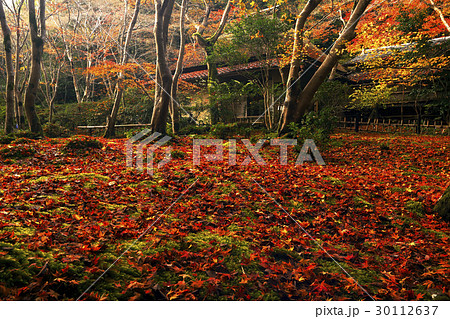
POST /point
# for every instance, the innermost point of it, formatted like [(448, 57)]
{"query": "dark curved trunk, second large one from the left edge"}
[(37, 50)]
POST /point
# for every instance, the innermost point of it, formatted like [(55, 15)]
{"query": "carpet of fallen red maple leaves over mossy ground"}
[(360, 227)]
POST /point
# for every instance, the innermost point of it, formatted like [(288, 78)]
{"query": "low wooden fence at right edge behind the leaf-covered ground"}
[(395, 126)]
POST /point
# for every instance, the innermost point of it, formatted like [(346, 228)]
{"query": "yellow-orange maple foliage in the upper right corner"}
[(412, 59)]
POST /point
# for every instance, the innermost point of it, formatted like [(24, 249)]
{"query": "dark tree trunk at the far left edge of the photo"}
[(9, 120)]
